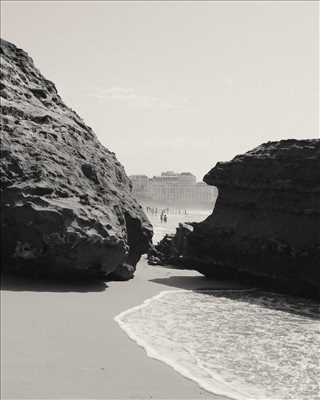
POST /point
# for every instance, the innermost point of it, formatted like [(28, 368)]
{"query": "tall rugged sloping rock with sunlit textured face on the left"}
[(66, 200)]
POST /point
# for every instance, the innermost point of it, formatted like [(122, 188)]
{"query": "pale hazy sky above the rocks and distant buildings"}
[(178, 85)]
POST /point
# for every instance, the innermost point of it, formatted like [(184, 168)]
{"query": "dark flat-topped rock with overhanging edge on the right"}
[(265, 227)]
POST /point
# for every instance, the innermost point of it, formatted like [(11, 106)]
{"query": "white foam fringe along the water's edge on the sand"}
[(186, 364)]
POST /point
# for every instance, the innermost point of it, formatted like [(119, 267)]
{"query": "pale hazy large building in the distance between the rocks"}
[(175, 189)]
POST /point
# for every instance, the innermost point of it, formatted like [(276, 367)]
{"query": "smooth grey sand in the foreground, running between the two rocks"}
[(62, 341)]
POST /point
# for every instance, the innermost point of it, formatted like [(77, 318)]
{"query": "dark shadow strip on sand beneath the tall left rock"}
[(28, 284)]
